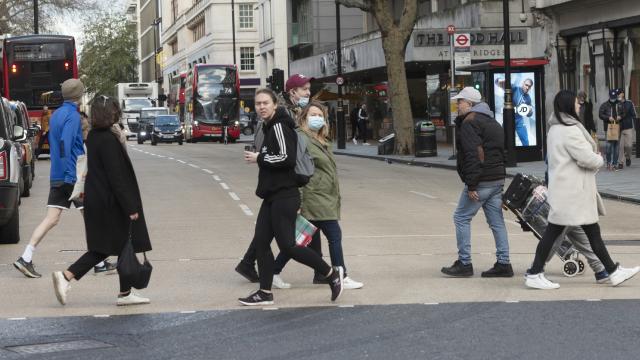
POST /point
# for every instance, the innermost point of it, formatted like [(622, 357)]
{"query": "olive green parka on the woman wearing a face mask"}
[(321, 196)]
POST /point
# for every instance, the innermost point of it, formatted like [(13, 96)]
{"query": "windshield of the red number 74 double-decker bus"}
[(216, 98)]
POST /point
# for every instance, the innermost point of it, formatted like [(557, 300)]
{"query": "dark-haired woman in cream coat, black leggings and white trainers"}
[(573, 195)]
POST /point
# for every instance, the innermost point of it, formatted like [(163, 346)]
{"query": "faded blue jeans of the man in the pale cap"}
[(491, 202)]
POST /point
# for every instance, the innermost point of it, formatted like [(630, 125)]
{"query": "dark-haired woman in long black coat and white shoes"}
[(112, 202)]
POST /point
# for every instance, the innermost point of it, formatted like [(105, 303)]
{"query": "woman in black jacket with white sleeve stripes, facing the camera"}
[(278, 188)]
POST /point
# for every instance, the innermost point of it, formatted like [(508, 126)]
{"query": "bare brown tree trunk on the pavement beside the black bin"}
[(398, 92)]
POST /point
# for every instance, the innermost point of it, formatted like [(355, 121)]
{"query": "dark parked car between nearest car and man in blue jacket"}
[(28, 146)]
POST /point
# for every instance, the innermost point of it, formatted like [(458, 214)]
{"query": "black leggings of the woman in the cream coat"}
[(551, 234)]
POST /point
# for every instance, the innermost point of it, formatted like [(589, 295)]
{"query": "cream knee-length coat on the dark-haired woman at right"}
[(573, 164)]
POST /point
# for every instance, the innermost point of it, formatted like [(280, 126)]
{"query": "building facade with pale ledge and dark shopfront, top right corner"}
[(593, 46)]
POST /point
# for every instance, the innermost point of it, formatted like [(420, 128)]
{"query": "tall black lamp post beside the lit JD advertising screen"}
[(507, 112)]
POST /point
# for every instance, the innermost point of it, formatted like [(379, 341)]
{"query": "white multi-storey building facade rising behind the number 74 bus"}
[(201, 31)]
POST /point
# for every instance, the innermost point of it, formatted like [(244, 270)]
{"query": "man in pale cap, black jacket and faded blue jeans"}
[(480, 162)]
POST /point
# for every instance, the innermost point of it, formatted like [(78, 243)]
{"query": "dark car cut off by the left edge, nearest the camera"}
[(10, 174)]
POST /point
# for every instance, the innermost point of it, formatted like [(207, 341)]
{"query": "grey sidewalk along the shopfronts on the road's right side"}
[(621, 185)]
